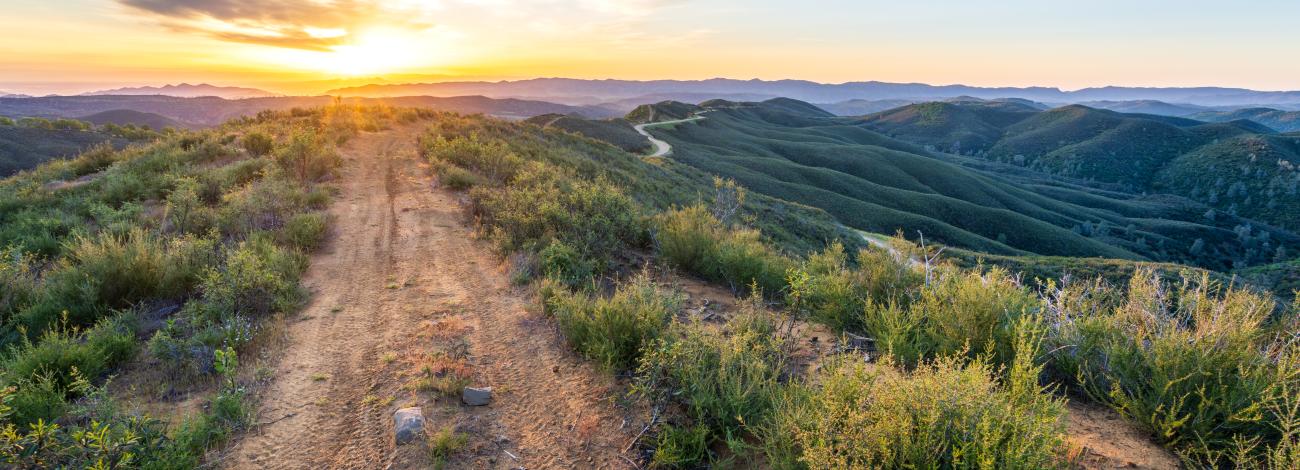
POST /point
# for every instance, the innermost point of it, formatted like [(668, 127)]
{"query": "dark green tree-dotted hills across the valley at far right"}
[(1236, 167)]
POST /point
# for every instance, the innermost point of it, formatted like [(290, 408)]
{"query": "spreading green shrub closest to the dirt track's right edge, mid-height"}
[(614, 332)]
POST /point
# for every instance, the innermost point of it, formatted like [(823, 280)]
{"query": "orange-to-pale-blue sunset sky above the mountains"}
[(309, 46)]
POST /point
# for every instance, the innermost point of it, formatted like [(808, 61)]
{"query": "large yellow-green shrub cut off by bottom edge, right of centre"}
[(943, 415)]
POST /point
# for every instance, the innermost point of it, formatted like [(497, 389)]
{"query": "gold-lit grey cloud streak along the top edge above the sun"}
[(300, 24)]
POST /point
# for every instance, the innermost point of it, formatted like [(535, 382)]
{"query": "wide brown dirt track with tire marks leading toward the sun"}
[(400, 280)]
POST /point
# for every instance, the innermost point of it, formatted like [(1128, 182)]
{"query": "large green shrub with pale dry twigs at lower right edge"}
[(1194, 363)]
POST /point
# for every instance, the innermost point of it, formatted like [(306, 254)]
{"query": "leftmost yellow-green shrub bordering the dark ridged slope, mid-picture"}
[(695, 241)]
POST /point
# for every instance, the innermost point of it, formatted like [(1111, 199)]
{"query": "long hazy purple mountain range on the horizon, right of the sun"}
[(588, 92)]
